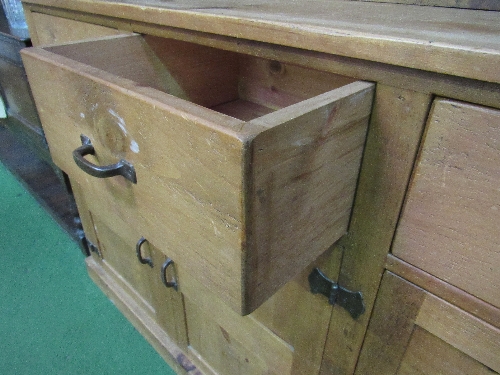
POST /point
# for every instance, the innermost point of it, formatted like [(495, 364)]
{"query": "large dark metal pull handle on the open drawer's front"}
[(122, 168)]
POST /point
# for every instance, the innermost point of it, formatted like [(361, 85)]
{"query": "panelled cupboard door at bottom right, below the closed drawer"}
[(414, 332)]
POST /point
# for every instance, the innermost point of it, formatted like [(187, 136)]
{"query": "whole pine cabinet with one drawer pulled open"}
[(265, 145)]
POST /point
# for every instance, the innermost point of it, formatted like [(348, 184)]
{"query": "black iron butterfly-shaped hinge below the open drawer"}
[(337, 295)]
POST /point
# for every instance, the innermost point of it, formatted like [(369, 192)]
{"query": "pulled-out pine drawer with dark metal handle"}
[(244, 168)]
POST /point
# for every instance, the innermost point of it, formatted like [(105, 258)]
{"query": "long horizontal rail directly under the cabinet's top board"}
[(396, 76)]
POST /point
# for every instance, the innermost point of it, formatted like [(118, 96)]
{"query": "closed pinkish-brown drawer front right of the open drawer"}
[(449, 226)]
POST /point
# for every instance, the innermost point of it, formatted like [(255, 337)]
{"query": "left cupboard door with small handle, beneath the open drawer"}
[(115, 249)]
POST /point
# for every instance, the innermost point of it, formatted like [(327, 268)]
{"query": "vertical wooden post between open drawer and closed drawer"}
[(394, 132)]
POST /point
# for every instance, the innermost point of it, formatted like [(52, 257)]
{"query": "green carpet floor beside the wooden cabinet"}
[(53, 319)]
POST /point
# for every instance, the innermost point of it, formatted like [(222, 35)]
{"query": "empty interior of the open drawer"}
[(242, 86)]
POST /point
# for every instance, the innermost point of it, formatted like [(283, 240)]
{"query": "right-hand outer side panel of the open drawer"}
[(294, 176)]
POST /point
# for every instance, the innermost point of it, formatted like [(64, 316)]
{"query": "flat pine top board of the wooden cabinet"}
[(459, 42)]
